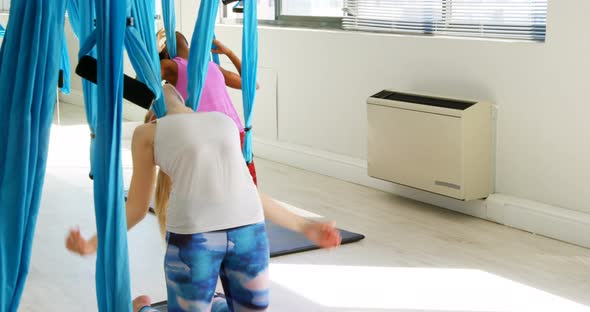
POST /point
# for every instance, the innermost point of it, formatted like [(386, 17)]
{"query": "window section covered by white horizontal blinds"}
[(505, 19)]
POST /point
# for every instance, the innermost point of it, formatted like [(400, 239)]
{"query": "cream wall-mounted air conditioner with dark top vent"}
[(430, 143)]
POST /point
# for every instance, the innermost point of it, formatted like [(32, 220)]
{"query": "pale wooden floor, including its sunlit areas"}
[(416, 257)]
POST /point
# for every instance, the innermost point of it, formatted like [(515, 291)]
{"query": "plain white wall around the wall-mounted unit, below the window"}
[(324, 78)]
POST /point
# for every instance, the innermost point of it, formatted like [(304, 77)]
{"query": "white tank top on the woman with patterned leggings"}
[(211, 186)]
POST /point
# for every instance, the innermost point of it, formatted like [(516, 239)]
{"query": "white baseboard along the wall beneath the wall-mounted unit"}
[(555, 222)]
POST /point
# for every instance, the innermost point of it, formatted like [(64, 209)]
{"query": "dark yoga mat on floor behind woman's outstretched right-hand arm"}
[(284, 242)]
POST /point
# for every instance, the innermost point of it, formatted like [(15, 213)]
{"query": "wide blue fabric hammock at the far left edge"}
[(29, 67)]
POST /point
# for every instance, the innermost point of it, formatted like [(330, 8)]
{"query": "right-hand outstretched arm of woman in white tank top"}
[(323, 234)]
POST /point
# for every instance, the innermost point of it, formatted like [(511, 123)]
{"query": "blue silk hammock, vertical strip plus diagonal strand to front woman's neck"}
[(114, 31)]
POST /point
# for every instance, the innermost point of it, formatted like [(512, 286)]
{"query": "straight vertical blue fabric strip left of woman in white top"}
[(112, 263)]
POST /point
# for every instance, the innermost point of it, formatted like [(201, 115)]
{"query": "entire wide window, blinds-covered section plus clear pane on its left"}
[(503, 19)]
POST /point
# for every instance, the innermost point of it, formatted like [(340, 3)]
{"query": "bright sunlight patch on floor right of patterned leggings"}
[(415, 289)]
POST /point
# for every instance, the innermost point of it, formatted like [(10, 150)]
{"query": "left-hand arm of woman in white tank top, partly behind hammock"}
[(140, 190)]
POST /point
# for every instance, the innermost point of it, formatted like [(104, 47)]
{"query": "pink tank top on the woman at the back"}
[(215, 97)]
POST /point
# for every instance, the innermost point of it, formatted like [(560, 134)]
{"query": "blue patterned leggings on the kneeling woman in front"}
[(238, 256)]
